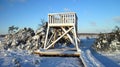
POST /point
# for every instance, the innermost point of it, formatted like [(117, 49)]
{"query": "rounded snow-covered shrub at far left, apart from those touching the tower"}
[(18, 39)]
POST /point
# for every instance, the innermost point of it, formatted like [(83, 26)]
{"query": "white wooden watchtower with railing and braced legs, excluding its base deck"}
[(66, 23)]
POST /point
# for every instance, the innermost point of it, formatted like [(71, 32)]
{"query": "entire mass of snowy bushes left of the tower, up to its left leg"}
[(25, 39)]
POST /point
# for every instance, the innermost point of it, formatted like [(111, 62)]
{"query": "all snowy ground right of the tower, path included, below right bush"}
[(98, 59)]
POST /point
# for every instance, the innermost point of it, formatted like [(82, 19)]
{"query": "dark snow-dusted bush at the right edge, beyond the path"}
[(108, 41)]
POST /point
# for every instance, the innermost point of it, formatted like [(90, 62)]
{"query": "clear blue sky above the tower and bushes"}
[(94, 16)]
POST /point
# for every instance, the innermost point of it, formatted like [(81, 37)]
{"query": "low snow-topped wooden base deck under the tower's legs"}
[(58, 53)]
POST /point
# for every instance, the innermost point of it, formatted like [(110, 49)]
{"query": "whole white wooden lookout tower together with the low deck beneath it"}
[(63, 25)]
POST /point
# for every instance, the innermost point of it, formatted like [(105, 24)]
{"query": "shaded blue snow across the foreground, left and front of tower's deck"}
[(13, 58)]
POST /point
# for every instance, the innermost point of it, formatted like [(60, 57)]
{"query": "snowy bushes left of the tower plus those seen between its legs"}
[(27, 39)]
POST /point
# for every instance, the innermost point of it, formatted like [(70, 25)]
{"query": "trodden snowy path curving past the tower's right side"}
[(92, 58)]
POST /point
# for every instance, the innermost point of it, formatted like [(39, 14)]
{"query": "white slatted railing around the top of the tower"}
[(67, 18)]
